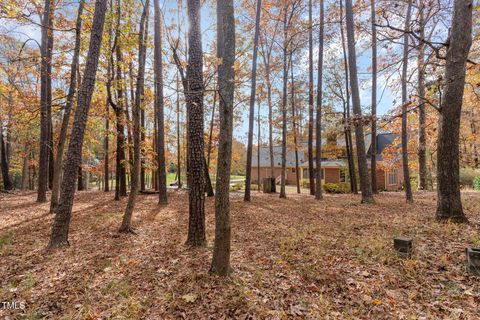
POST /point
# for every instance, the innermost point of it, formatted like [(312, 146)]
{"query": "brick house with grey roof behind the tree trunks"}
[(334, 170)]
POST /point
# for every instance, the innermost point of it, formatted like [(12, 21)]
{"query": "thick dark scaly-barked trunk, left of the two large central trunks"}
[(196, 156)]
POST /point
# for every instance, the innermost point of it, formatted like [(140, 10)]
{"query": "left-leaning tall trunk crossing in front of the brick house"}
[(365, 183)]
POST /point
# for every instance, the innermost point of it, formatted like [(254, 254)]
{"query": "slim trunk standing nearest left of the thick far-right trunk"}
[(422, 135)]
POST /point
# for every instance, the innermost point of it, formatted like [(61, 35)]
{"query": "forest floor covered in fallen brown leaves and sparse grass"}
[(293, 259)]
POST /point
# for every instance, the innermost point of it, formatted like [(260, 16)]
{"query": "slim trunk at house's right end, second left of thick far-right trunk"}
[(406, 169)]
